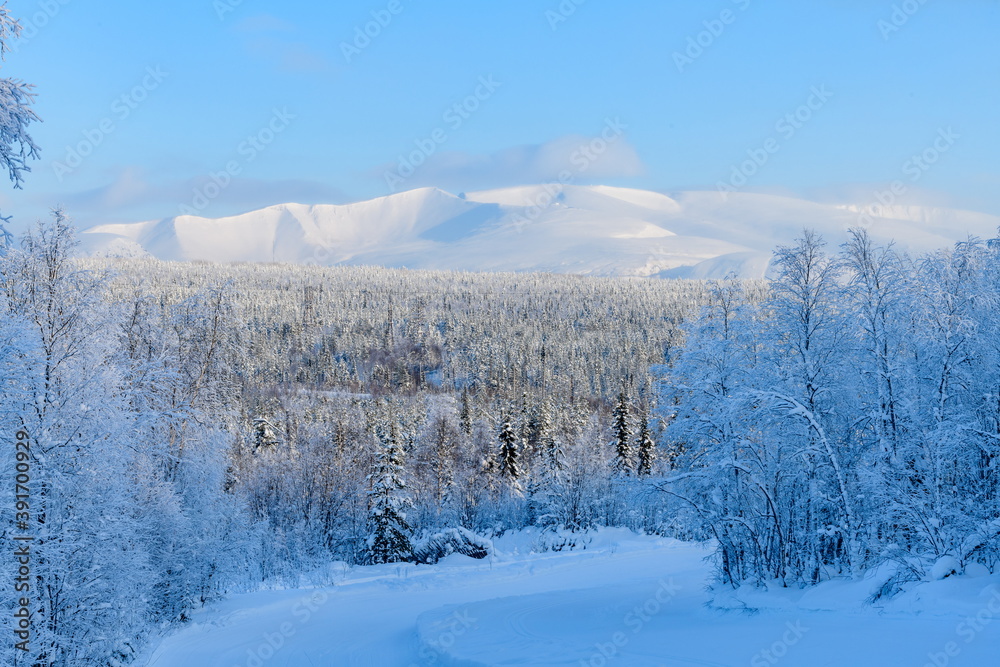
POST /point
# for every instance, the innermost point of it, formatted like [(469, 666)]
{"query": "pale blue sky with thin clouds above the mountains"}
[(216, 107)]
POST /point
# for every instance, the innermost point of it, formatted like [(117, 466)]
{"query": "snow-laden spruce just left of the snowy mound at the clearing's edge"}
[(389, 539)]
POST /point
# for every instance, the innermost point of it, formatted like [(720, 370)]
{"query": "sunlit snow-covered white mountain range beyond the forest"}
[(593, 230)]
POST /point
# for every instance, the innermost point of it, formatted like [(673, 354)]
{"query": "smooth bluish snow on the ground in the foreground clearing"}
[(623, 600)]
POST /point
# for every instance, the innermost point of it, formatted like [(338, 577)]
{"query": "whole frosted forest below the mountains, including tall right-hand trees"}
[(198, 430)]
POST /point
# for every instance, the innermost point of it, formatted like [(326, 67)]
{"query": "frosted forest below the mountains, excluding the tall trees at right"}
[(202, 429)]
